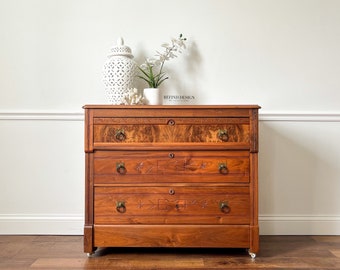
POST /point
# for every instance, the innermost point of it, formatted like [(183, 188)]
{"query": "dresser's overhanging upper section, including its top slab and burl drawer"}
[(178, 127)]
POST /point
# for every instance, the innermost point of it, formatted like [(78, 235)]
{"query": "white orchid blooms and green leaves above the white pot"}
[(155, 77)]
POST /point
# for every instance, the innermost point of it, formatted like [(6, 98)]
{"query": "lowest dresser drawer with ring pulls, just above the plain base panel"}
[(171, 205)]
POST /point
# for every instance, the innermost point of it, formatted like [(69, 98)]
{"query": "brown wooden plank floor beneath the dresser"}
[(65, 252)]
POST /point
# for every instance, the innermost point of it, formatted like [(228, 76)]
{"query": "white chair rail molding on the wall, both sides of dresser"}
[(79, 116)]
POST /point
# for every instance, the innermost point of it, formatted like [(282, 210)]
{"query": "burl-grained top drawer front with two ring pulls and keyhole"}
[(122, 131)]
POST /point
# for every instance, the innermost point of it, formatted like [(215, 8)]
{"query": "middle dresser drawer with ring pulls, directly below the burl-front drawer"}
[(167, 166)]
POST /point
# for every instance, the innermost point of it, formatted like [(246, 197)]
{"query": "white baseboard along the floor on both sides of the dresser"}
[(73, 225)]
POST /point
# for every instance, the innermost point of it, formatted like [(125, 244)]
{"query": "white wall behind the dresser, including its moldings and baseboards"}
[(280, 54)]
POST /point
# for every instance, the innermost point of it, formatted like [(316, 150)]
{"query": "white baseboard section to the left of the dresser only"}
[(42, 224)]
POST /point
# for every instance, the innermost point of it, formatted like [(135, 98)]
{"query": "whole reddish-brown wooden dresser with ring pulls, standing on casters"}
[(171, 176)]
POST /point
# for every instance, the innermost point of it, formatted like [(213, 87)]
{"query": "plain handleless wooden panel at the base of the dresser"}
[(229, 236)]
